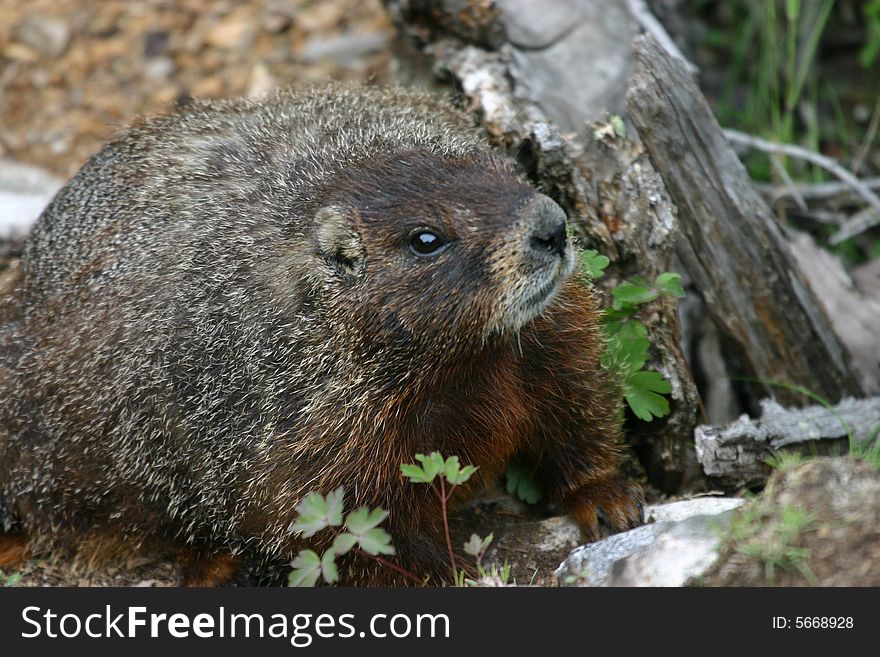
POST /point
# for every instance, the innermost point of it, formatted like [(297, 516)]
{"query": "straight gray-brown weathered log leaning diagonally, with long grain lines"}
[(731, 245)]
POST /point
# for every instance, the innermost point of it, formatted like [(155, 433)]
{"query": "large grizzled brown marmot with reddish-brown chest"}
[(235, 305)]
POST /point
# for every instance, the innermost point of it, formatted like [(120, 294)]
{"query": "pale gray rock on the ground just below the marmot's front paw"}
[(681, 543)]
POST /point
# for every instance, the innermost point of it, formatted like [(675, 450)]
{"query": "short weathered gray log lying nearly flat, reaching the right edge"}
[(735, 456)]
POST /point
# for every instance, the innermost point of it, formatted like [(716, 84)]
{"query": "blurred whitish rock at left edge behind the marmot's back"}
[(24, 192)]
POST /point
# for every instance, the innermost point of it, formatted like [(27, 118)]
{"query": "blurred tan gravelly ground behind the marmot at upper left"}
[(73, 73)]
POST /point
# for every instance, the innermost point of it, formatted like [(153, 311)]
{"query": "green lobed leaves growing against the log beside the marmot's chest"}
[(626, 351)]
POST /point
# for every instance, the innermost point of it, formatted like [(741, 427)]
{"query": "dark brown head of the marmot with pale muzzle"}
[(446, 252)]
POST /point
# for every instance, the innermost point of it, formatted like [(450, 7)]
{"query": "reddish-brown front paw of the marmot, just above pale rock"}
[(615, 502)]
